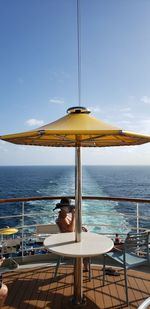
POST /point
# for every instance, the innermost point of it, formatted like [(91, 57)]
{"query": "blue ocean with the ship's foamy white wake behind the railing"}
[(114, 181)]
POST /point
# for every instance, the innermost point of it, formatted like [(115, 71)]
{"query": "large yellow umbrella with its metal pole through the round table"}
[(77, 129)]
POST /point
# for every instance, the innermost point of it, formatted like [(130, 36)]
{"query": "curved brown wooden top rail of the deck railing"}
[(85, 197)]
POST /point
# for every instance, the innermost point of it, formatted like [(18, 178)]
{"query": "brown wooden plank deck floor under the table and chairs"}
[(35, 288)]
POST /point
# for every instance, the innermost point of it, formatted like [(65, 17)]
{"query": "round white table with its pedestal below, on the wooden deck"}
[(91, 244)]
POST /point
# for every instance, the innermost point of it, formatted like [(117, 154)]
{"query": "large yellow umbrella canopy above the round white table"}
[(77, 128)]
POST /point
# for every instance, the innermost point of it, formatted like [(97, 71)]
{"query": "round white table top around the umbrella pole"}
[(91, 244)]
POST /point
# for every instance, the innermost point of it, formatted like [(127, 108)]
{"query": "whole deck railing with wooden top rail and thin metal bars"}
[(24, 228)]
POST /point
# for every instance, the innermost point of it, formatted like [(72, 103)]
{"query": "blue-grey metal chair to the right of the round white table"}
[(135, 252)]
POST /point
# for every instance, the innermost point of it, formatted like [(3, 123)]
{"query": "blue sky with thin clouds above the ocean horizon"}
[(39, 73)]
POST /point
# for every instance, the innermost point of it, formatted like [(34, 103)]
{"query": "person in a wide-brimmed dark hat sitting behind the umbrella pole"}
[(66, 221)]
